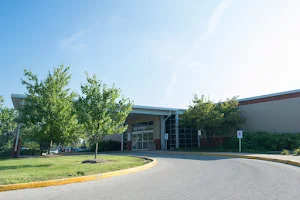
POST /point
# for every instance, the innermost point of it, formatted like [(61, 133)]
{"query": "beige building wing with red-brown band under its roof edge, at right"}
[(275, 113)]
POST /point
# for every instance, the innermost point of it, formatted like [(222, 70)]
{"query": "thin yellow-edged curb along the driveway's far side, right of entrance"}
[(289, 162)]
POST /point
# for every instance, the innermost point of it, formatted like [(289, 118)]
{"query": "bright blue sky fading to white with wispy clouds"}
[(159, 52)]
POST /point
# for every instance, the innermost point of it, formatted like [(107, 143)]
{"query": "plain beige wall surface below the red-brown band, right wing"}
[(281, 116)]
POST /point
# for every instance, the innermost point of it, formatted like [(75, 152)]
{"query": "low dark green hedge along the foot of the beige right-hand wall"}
[(263, 141)]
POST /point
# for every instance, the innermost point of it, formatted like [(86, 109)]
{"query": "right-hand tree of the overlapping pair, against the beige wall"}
[(232, 117)]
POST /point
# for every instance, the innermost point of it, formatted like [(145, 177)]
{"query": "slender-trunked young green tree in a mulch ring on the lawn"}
[(102, 110)]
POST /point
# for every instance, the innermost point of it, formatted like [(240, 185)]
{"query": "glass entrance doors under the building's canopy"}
[(141, 139)]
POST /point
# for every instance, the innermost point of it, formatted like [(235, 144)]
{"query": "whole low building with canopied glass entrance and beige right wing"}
[(147, 125)]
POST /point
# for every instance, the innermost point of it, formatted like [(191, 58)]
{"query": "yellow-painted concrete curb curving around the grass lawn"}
[(79, 179)]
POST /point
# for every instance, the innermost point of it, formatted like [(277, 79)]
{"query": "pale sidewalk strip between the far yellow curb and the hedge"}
[(287, 159)]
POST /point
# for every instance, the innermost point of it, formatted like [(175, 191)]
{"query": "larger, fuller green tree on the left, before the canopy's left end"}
[(49, 110)]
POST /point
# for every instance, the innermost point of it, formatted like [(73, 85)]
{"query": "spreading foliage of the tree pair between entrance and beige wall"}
[(213, 118)]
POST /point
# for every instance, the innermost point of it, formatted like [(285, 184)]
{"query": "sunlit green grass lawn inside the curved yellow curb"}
[(23, 170)]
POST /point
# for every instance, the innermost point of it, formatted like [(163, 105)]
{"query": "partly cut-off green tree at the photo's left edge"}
[(7, 125)]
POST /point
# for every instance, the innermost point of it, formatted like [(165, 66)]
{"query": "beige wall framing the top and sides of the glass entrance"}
[(145, 118)]
